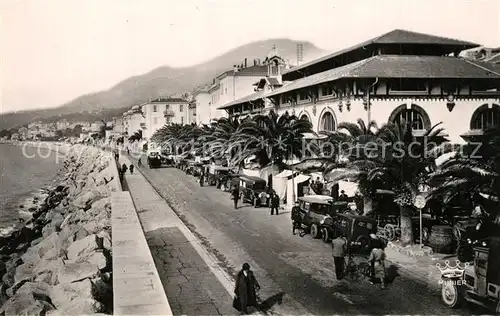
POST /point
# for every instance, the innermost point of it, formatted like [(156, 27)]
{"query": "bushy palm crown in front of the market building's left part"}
[(271, 138)]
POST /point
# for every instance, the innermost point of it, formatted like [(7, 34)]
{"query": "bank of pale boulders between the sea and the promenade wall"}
[(59, 263)]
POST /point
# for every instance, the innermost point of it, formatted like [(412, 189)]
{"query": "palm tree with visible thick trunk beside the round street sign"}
[(396, 160)]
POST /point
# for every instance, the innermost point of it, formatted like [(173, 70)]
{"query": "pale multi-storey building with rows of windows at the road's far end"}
[(163, 111)]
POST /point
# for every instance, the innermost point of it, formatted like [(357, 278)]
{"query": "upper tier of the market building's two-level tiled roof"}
[(393, 37)]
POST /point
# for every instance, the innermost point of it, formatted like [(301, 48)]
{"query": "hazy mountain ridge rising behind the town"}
[(165, 81)]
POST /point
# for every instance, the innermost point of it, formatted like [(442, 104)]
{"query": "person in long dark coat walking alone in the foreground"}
[(245, 290)]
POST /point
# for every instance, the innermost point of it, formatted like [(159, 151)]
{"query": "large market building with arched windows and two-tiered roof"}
[(400, 75)]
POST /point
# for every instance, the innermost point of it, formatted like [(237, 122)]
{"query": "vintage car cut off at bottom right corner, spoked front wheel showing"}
[(478, 283)]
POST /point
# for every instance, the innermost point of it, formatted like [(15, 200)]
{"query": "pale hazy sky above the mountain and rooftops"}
[(55, 50)]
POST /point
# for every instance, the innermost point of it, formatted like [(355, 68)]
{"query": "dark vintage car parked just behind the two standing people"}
[(357, 229)]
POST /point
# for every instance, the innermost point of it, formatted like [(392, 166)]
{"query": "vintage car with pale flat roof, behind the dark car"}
[(314, 209)]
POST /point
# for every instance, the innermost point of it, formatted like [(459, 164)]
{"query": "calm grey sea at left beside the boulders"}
[(26, 173)]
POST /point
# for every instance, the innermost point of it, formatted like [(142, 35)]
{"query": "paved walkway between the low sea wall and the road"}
[(193, 281)]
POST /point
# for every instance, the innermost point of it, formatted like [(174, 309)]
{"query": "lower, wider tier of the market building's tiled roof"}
[(399, 66)]
